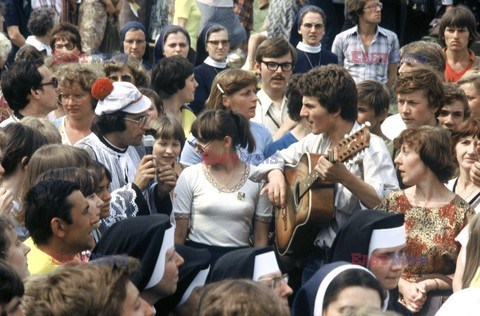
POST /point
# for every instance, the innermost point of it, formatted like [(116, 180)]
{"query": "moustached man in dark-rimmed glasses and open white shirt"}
[(274, 61)]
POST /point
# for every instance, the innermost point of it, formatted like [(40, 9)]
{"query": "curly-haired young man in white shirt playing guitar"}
[(330, 108)]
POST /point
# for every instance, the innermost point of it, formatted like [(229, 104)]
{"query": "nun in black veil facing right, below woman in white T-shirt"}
[(151, 240)]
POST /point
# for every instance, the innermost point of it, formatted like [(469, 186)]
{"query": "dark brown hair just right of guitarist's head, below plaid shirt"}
[(375, 95)]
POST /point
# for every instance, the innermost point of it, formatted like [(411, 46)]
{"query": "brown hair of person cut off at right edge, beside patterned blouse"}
[(472, 262)]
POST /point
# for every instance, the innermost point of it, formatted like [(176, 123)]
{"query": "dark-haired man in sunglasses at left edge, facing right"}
[(29, 88)]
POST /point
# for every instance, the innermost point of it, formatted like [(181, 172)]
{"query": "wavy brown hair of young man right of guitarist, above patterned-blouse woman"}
[(422, 79)]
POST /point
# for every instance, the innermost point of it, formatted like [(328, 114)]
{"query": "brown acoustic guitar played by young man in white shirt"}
[(310, 201)]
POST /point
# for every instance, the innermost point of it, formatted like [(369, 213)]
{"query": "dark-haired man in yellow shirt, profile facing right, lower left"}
[(58, 219)]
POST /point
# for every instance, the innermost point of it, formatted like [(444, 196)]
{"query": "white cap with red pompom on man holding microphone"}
[(124, 97)]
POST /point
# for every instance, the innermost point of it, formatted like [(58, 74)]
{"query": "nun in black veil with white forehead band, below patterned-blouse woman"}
[(375, 240)]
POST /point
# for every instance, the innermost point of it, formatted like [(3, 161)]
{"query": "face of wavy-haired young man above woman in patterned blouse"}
[(415, 109)]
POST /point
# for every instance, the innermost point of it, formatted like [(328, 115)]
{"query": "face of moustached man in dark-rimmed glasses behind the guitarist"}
[(274, 80)]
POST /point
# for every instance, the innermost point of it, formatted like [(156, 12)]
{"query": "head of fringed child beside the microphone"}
[(169, 139)]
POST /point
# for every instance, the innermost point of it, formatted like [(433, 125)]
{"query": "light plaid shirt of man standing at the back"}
[(383, 51)]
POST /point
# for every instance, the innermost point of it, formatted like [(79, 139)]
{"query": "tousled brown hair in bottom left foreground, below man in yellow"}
[(99, 288)]
